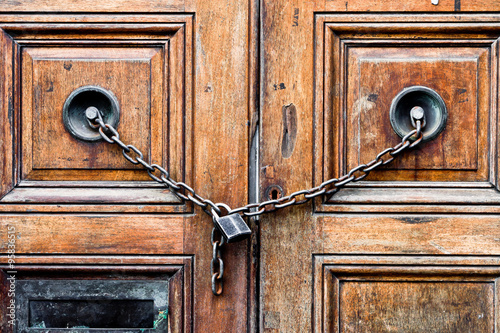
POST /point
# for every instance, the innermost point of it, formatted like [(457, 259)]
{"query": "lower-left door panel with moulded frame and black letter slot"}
[(163, 283)]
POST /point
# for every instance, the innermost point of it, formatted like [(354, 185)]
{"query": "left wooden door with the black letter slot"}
[(81, 225)]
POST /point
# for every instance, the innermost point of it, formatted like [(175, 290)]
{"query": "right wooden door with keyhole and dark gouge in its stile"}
[(415, 246)]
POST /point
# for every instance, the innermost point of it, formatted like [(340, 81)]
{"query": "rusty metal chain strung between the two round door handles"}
[(185, 192)]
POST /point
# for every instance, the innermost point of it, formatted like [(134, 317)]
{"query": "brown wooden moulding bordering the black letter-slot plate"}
[(176, 270)]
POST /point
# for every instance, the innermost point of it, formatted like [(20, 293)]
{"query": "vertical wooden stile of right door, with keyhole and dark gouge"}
[(287, 236)]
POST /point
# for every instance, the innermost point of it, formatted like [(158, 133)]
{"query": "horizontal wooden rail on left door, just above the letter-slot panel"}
[(95, 234)]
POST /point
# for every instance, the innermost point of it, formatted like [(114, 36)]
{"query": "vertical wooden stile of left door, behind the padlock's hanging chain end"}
[(221, 143)]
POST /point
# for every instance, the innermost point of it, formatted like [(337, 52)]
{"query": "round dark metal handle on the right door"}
[(418, 100)]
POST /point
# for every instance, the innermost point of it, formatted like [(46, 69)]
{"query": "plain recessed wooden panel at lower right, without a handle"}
[(410, 307)]
